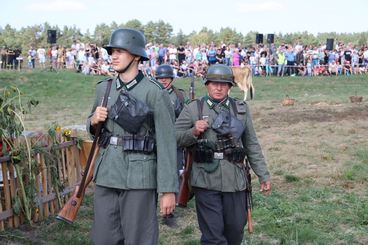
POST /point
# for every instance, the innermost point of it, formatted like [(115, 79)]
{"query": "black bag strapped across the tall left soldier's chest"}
[(129, 112)]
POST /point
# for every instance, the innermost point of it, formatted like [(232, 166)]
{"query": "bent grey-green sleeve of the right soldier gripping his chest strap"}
[(184, 125)]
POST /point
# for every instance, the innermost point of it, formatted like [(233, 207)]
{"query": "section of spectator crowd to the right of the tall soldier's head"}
[(263, 60)]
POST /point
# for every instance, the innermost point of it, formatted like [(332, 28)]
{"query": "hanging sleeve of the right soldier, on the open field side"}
[(253, 149)]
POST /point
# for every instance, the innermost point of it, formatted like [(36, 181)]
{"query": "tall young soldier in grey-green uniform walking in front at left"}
[(137, 159)]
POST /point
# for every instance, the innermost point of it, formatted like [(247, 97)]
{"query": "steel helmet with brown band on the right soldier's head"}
[(219, 73)]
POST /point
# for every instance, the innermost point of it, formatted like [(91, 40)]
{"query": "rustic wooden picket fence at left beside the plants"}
[(71, 163)]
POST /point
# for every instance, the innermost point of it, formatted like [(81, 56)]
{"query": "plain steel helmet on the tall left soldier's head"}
[(129, 39)]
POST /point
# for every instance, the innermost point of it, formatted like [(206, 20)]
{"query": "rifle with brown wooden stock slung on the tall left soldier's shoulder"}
[(69, 212)]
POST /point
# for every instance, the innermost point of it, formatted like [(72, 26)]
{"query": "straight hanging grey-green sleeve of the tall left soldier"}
[(164, 117)]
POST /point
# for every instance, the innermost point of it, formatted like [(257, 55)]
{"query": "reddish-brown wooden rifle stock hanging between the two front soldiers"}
[(184, 190)]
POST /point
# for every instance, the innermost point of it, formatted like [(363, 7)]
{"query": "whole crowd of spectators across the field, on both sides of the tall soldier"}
[(187, 60)]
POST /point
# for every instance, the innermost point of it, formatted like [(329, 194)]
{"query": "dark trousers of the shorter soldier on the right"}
[(221, 216)]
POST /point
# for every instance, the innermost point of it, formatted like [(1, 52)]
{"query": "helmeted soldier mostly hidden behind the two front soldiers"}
[(165, 75)]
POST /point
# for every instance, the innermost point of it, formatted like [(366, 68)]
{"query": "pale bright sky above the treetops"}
[(262, 16)]
